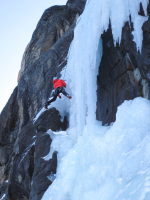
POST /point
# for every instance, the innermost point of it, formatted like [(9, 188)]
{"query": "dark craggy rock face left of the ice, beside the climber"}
[(24, 174)]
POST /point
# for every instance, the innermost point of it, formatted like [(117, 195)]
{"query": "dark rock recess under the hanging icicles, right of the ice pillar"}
[(124, 73)]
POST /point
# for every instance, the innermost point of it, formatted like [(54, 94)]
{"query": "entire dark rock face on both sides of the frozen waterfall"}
[(124, 74)]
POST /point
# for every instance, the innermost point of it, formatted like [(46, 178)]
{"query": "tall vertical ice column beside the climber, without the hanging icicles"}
[(83, 63)]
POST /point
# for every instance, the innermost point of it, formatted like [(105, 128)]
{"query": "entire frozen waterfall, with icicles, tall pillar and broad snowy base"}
[(94, 161)]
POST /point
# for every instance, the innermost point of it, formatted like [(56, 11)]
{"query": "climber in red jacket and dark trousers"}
[(59, 87)]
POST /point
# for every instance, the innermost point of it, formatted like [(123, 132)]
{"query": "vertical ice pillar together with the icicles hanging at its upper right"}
[(83, 55)]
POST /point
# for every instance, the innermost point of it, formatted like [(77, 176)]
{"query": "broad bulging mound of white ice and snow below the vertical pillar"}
[(106, 162)]
